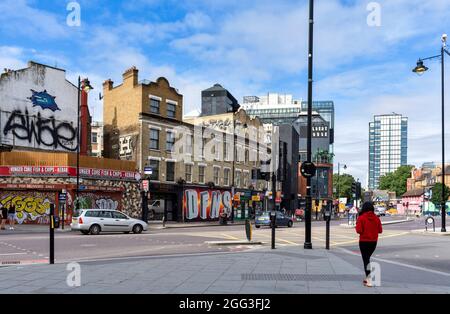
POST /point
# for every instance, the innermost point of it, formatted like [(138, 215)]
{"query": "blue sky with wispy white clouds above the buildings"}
[(253, 47)]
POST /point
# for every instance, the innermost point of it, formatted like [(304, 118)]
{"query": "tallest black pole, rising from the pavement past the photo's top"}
[(308, 243)]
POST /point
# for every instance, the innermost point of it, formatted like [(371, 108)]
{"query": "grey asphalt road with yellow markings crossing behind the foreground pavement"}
[(32, 248)]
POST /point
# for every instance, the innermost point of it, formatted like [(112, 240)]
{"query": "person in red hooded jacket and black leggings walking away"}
[(368, 227)]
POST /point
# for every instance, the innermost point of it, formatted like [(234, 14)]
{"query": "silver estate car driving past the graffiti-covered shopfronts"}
[(94, 221)]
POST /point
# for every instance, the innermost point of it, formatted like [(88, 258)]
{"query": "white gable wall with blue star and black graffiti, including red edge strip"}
[(38, 111)]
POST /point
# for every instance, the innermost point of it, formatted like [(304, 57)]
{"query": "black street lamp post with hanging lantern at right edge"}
[(421, 69)]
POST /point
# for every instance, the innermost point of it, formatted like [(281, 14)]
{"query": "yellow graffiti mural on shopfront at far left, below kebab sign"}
[(31, 207)]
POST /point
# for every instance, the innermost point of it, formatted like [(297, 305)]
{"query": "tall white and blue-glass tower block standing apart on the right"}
[(388, 146)]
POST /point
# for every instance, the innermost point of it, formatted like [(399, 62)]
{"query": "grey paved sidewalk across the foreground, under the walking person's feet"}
[(287, 270)]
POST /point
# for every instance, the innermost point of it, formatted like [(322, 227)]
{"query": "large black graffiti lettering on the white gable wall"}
[(42, 131)]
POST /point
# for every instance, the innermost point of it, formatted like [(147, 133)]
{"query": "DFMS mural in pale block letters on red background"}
[(201, 204)]
